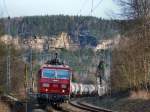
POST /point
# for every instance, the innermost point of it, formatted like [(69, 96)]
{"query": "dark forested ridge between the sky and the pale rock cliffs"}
[(53, 25)]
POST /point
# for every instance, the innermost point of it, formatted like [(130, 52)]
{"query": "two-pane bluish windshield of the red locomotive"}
[(59, 73)]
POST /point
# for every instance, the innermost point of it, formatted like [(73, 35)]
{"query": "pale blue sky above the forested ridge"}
[(16, 8)]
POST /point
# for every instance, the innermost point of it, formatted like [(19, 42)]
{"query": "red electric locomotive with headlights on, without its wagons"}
[(54, 82)]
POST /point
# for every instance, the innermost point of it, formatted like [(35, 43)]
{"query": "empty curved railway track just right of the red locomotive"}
[(87, 107)]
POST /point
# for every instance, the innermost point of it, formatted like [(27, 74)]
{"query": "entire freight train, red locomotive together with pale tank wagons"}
[(55, 84)]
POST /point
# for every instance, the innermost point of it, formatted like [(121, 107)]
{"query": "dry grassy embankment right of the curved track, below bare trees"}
[(125, 103)]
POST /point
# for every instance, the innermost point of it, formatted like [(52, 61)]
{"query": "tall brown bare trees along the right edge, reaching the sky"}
[(132, 60)]
